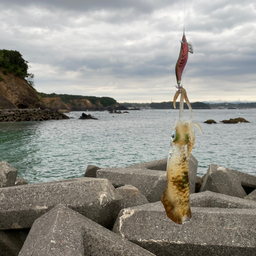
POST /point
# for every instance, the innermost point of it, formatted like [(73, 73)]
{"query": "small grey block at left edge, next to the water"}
[(8, 174)]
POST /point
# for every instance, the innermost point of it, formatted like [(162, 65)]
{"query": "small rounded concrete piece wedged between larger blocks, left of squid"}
[(131, 196)]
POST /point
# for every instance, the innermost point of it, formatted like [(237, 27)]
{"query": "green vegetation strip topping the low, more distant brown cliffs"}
[(68, 98)]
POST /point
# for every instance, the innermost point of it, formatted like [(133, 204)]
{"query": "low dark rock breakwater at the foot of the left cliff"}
[(19, 115)]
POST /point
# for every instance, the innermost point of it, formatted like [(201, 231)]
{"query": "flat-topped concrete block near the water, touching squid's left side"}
[(151, 183)]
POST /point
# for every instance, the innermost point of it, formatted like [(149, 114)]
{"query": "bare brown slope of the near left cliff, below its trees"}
[(15, 92)]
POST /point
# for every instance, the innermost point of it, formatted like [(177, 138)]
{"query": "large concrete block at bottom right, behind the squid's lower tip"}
[(211, 231)]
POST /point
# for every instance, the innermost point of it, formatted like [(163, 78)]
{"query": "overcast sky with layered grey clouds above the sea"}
[(128, 49)]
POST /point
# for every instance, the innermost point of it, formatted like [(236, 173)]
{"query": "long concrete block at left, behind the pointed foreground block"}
[(97, 199)]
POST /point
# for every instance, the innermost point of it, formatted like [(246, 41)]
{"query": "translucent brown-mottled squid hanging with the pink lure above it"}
[(176, 196)]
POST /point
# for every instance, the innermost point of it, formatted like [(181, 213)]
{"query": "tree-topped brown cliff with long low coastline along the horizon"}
[(17, 91)]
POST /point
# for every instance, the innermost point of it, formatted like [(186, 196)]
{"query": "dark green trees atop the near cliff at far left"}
[(12, 62)]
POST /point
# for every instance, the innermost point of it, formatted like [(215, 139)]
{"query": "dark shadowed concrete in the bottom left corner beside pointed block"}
[(11, 241)]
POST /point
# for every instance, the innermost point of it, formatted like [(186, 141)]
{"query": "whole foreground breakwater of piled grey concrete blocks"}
[(117, 211)]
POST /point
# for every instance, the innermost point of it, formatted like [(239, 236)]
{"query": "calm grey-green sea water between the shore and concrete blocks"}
[(54, 150)]
